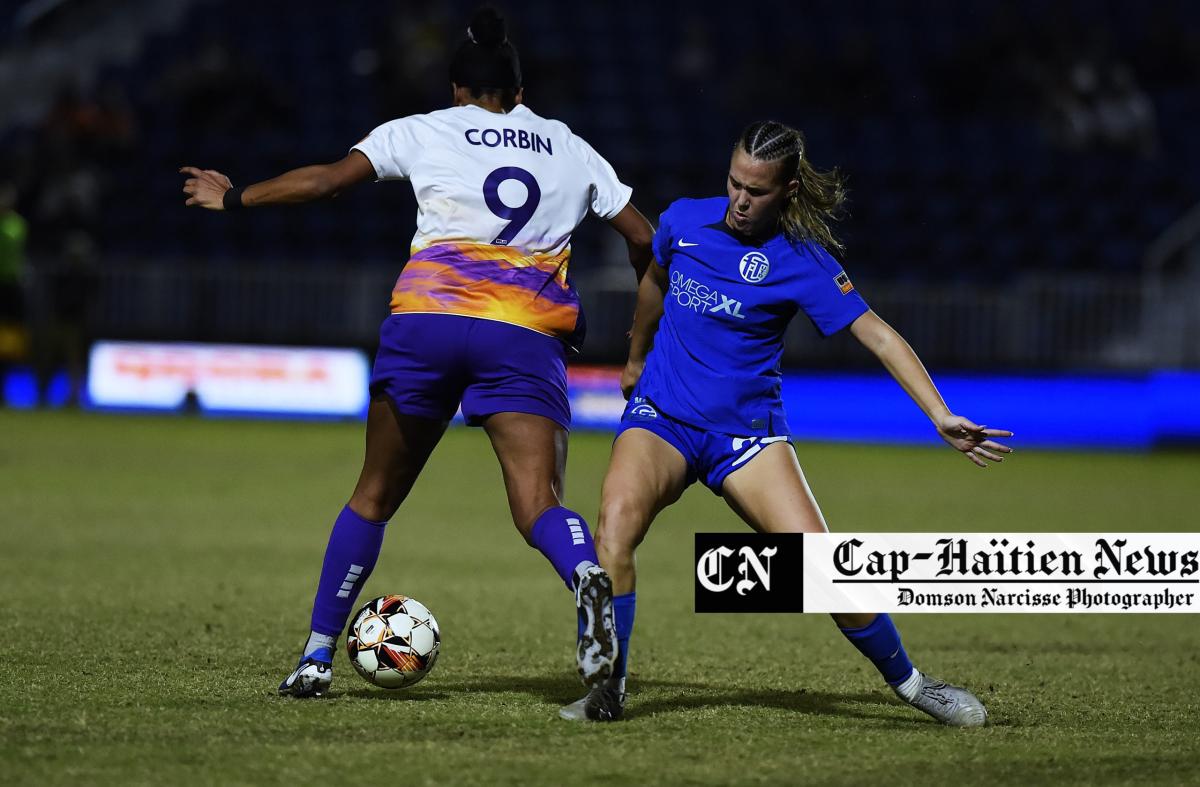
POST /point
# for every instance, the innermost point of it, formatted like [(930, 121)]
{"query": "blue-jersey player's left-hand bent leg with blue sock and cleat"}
[(646, 474)]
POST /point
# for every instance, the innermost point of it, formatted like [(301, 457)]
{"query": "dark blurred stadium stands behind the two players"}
[(1015, 169)]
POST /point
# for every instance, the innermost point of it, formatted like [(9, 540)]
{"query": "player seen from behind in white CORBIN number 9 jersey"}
[(482, 317)]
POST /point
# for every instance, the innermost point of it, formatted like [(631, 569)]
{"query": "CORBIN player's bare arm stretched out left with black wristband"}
[(212, 190)]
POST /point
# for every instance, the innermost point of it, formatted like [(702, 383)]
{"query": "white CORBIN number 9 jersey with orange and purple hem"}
[(499, 199)]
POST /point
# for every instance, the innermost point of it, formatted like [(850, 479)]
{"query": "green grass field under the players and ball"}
[(157, 574)]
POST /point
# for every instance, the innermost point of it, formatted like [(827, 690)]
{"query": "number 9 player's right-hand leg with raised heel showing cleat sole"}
[(532, 450)]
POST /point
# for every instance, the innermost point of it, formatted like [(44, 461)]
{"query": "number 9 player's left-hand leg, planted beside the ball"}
[(398, 448)]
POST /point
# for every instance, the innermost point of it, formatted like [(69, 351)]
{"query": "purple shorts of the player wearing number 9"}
[(431, 364)]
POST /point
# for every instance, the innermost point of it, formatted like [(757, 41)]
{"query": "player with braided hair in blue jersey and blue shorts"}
[(705, 401)]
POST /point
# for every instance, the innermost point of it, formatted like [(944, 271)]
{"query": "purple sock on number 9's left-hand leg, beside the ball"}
[(351, 556)]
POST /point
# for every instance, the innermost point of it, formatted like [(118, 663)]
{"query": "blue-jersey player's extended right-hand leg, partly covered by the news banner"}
[(772, 496)]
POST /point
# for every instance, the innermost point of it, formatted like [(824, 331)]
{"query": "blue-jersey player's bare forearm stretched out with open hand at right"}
[(971, 440)]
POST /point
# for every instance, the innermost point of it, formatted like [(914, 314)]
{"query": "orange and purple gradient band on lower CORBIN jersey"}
[(491, 283)]
